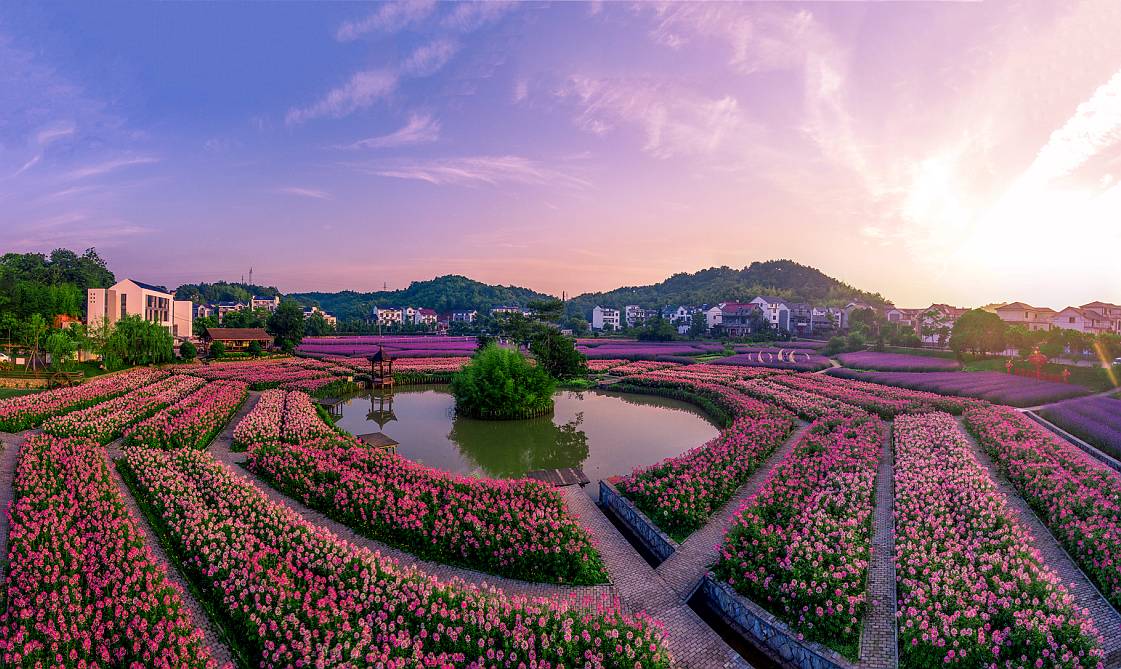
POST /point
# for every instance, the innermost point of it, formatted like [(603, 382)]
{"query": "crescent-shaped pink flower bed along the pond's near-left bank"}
[(521, 529)]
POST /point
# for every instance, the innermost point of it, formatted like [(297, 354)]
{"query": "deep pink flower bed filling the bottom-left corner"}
[(82, 589)]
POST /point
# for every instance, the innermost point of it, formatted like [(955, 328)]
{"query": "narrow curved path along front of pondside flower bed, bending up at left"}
[(592, 596)]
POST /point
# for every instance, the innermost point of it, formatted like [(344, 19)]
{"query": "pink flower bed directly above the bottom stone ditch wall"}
[(801, 546)]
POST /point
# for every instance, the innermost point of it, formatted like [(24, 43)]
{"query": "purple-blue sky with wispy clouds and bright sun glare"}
[(962, 153)]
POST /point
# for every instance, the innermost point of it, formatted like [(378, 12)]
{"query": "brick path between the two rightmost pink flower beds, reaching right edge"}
[(1106, 618)]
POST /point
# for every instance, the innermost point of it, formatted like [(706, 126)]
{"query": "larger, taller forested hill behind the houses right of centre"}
[(781, 278)]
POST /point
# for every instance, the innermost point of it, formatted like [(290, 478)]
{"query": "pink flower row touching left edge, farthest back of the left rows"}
[(25, 412)]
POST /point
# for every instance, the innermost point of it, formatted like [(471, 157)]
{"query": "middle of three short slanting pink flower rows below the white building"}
[(105, 423)]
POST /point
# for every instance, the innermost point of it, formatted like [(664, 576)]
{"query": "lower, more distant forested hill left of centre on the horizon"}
[(443, 294)]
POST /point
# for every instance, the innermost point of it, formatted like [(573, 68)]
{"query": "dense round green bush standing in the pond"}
[(501, 384)]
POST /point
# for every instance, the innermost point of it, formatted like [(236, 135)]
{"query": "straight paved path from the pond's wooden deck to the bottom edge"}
[(690, 639)]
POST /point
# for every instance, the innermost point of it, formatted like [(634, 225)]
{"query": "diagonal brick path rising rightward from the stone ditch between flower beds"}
[(685, 569)]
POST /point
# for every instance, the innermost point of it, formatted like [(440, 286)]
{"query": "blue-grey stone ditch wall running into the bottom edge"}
[(765, 631)]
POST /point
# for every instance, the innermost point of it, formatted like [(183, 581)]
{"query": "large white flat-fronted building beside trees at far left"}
[(136, 299)]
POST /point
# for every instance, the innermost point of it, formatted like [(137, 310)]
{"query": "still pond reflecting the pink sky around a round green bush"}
[(601, 432)]
